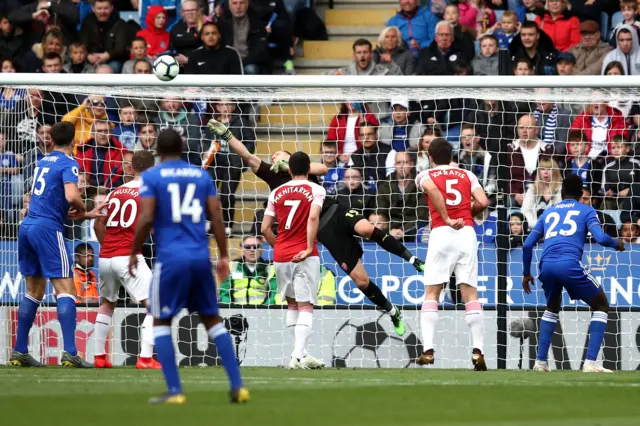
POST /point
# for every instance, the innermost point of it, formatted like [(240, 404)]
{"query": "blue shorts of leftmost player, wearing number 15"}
[(43, 252)]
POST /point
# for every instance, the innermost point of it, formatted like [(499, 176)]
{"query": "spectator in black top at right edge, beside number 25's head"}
[(619, 176)]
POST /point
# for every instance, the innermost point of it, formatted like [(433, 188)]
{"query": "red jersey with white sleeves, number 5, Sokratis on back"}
[(456, 186)]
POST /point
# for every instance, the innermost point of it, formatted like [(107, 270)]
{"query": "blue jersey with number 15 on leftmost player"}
[(48, 206)]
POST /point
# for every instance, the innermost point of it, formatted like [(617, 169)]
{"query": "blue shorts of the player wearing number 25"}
[(571, 275)]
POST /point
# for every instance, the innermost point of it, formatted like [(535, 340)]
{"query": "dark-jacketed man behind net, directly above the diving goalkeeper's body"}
[(370, 157)]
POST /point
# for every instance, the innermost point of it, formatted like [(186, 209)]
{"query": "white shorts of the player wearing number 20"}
[(114, 272)]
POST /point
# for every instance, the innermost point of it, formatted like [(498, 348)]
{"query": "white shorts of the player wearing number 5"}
[(452, 251)]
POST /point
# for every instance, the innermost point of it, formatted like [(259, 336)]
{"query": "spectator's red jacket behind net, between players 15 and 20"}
[(102, 169)]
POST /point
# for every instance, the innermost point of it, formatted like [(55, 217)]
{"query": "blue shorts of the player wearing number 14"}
[(183, 283)]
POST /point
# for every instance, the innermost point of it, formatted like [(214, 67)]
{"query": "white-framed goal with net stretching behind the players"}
[(518, 136)]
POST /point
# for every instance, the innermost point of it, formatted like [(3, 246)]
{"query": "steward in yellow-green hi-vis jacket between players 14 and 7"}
[(252, 281)]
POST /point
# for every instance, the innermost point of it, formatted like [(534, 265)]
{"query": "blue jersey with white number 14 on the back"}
[(181, 192)]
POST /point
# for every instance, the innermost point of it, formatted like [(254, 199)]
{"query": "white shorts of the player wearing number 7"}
[(299, 281)]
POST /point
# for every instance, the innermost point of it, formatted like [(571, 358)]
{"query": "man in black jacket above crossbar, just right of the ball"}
[(213, 57)]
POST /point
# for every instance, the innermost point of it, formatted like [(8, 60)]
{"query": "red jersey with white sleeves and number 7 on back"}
[(290, 204)]
